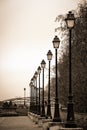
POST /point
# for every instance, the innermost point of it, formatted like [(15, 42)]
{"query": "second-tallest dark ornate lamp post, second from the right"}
[(56, 43)]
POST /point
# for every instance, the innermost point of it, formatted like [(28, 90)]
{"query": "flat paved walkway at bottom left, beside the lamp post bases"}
[(18, 123)]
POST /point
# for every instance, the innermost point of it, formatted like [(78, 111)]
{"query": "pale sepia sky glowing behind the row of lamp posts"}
[(26, 34)]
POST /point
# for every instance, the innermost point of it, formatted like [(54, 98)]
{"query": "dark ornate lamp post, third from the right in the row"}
[(49, 57)]
